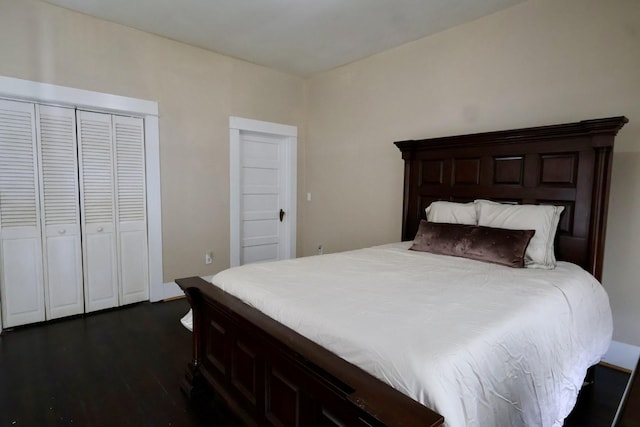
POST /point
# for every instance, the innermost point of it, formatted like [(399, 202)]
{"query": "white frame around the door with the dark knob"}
[(289, 135)]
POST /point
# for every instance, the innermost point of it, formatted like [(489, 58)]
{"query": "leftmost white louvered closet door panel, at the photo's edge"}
[(21, 281)]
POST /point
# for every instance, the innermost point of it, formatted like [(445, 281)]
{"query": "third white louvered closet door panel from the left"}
[(97, 204)]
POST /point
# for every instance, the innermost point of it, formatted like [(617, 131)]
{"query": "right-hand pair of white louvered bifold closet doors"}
[(113, 207)]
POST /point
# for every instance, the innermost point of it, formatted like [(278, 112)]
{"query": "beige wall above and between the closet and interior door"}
[(197, 91)]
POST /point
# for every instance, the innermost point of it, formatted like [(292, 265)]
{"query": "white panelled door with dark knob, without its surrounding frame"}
[(263, 210)]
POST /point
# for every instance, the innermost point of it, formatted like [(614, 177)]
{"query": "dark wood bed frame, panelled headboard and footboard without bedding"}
[(269, 375)]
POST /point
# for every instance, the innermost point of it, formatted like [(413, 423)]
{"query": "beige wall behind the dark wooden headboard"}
[(537, 63)]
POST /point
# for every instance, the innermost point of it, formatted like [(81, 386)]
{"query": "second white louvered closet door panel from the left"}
[(59, 198)]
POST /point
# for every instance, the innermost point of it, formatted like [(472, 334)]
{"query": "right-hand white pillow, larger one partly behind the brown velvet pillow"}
[(542, 218)]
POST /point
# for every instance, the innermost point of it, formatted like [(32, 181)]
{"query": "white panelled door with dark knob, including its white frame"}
[(263, 187)]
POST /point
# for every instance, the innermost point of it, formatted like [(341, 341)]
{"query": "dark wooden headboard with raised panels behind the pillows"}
[(567, 165)]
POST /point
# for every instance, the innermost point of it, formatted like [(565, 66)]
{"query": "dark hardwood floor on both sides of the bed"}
[(123, 368)]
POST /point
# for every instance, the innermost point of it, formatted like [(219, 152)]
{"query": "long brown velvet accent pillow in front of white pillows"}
[(496, 245)]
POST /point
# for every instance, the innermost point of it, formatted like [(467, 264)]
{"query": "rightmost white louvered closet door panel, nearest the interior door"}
[(130, 208)]
